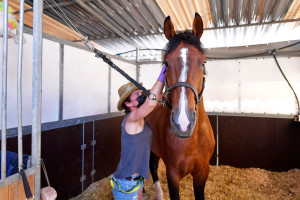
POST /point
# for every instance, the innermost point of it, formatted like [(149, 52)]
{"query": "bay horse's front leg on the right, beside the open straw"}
[(199, 180)]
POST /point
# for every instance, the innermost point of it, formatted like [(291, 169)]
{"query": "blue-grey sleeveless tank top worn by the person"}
[(135, 152)]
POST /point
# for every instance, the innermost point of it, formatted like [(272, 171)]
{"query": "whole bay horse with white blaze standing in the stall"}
[(182, 135)]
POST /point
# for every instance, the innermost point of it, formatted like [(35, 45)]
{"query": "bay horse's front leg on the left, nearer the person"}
[(173, 183)]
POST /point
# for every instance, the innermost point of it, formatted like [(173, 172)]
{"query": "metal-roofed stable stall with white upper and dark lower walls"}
[(59, 101)]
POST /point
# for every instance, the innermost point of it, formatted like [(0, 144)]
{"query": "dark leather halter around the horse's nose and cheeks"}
[(182, 84)]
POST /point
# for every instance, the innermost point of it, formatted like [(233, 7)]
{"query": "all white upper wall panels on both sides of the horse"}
[(253, 85)]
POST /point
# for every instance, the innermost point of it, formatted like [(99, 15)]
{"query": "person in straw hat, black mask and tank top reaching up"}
[(128, 180)]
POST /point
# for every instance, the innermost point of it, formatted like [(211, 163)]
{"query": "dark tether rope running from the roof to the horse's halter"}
[(99, 54)]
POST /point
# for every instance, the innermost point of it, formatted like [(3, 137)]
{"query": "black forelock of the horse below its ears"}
[(185, 37)]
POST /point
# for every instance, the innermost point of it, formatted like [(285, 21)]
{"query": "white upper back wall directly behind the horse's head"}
[(253, 85)]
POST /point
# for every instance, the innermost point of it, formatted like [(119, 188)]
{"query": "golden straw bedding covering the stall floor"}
[(224, 182)]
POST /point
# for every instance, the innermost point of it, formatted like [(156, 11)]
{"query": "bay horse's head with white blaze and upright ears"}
[(184, 59)]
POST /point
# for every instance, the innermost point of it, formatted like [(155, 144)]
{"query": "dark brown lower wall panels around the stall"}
[(267, 143)]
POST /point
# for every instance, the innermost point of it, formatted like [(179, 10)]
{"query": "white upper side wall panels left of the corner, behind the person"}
[(85, 82)]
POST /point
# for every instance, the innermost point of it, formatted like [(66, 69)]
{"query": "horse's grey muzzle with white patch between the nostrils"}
[(183, 128)]
